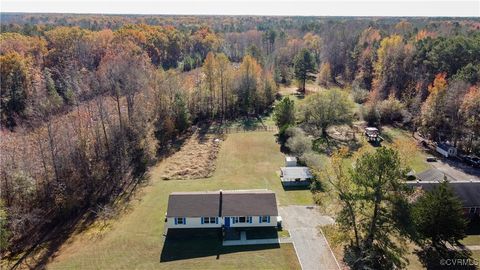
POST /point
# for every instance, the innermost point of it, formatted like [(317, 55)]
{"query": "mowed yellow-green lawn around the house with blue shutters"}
[(135, 239)]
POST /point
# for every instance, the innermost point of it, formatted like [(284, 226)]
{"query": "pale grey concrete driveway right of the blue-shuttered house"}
[(311, 246)]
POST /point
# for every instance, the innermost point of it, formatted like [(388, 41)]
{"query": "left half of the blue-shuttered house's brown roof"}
[(193, 204)]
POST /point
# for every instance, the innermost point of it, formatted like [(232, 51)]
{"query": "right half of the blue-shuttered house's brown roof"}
[(248, 203)]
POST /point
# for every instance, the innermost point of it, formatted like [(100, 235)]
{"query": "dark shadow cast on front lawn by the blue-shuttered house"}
[(183, 244)]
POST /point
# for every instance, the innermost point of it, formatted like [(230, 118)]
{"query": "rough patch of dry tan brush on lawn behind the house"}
[(196, 158)]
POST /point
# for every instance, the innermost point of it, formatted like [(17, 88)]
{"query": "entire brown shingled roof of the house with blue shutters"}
[(234, 203)]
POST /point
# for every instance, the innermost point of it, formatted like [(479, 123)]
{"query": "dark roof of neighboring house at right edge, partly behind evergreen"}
[(467, 191)]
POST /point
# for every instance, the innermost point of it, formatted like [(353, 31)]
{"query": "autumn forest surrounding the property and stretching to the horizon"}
[(89, 102)]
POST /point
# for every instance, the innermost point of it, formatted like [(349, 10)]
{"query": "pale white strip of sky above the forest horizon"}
[(444, 8)]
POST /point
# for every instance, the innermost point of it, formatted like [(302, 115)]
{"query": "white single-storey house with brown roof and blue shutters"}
[(217, 209)]
